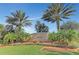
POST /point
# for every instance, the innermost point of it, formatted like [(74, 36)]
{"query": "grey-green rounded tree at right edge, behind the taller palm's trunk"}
[(70, 25)]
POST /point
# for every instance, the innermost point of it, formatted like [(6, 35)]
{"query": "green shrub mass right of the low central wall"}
[(66, 38)]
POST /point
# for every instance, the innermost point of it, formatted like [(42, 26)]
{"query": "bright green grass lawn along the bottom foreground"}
[(30, 50)]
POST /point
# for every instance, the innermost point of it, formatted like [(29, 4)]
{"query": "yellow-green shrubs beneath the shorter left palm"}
[(15, 37)]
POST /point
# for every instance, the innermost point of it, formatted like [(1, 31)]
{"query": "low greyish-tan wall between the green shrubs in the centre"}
[(40, 36)]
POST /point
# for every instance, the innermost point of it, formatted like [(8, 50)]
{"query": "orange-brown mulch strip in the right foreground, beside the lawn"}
[(59, 49)]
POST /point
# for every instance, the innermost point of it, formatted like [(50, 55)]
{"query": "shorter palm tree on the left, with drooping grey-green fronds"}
[(18, 19)]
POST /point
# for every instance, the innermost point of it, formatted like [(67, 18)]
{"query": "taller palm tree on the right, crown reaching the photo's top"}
[(56, 12)]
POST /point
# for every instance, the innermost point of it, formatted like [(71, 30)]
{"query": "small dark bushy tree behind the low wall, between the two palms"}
[(41, 27)]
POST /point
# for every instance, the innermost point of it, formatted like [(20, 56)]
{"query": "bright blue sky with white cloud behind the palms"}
[(35, 12)]
